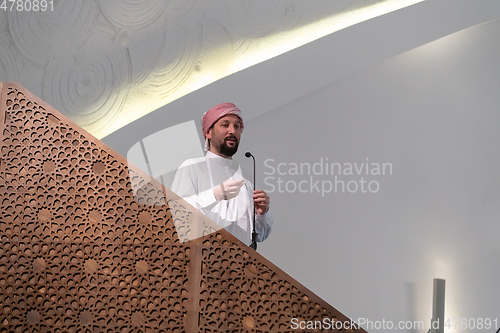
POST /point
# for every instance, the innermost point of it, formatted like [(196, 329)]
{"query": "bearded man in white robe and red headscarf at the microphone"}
[(214, 184)]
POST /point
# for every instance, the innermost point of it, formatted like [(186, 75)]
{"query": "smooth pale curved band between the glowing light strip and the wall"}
[(282, 79)]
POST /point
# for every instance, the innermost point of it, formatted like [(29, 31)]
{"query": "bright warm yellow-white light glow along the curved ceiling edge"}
[(268, 47)]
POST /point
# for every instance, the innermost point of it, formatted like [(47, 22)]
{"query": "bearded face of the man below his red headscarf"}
[(225, 136)]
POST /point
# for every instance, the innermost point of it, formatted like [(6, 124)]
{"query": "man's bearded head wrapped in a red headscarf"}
[(222, 126)]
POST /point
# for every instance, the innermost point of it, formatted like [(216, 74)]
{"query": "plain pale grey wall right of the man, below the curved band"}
[(433, 113)]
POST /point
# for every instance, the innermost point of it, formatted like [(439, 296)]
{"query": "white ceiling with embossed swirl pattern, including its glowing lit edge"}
[(105, 63)]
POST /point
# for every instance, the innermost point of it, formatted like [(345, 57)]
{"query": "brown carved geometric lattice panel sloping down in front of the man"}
[(82, 251)]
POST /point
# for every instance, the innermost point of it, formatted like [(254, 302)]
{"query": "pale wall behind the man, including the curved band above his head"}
[(431, 111)]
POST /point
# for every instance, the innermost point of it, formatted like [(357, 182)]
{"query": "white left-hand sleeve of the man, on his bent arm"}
[(185, 186)]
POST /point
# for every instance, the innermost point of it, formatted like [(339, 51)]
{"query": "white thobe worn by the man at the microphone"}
[(195, 181)]
